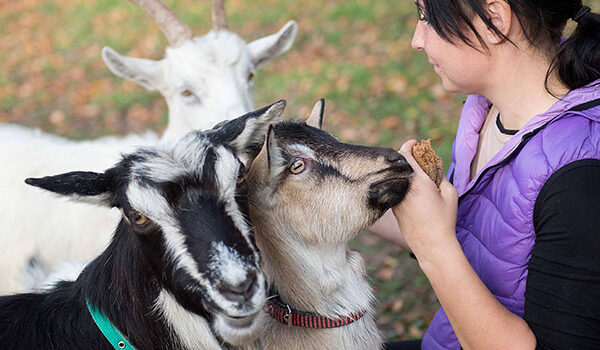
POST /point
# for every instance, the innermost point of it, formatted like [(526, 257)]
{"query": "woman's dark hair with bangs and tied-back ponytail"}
[(577, 59)]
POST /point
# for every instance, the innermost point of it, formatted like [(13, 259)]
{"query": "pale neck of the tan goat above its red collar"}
[(314, 277)]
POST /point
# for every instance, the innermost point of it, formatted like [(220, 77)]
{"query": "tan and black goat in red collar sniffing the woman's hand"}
[(310, 194)]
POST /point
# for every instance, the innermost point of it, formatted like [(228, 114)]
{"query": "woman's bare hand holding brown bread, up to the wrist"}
[(427, 215)]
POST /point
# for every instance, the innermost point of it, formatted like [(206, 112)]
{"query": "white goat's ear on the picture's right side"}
[(271, 46)]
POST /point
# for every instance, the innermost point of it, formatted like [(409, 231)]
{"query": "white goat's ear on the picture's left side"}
[(144, 72)]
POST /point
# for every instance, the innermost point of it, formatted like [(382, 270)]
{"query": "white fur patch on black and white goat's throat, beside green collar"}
[(192, 330)]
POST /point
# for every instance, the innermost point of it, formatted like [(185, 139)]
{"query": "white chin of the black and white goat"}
[(239, 330)]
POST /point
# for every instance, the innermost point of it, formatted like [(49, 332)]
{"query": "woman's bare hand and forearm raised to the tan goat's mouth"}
[(427, 219)]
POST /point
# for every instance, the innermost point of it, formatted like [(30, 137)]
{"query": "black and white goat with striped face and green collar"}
[(182, 270)]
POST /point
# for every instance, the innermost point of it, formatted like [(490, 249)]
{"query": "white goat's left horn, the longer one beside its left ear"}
[(169, 23)]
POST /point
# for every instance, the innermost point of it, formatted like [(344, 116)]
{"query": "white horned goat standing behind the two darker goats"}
[(204, 80)]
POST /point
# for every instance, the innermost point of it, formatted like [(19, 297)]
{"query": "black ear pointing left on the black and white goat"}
[(83, 186)]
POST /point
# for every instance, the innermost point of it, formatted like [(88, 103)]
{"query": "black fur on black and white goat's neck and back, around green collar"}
[(119, 282)]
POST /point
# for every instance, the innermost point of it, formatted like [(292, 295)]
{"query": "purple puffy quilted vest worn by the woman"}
[(495, 209)]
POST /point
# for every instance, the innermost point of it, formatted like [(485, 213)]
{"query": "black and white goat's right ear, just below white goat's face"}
[(246, 134)]
